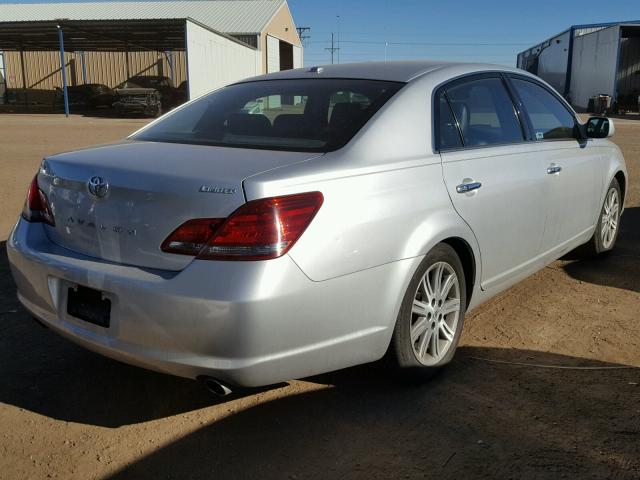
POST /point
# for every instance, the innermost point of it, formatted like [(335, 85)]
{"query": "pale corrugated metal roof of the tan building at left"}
[(228, 16)]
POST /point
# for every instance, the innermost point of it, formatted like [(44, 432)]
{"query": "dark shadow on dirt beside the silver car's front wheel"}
[(621, 267)]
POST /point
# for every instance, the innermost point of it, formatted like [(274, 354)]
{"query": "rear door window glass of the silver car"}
[(485, 112)]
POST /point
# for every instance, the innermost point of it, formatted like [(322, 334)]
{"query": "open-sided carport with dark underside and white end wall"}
[(212, 59)]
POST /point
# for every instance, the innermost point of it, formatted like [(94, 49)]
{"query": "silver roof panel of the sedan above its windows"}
[(389, 71)]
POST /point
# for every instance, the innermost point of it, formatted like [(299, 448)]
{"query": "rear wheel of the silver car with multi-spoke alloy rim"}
[(431, 317)]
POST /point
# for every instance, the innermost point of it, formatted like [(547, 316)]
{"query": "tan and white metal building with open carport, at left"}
[(205, 43)]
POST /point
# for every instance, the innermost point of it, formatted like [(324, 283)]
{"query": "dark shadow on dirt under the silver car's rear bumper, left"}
[(42, 372)]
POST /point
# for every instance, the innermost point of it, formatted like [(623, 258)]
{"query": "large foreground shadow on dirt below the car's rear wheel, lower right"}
[(478, 419)]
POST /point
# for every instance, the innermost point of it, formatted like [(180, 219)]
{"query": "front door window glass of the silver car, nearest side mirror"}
[(549, 118)]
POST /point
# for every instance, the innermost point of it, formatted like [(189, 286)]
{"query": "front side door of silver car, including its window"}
[(574, 168)]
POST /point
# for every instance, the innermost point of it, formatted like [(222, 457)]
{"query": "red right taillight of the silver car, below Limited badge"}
[(259, 230)]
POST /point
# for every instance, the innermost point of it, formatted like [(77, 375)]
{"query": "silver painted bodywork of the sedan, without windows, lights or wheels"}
[(332, 301)]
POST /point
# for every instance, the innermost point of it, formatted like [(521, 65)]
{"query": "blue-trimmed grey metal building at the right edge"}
[(585, 61)]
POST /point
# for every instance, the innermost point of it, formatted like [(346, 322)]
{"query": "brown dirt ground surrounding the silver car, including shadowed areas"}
[(68, 413)]
